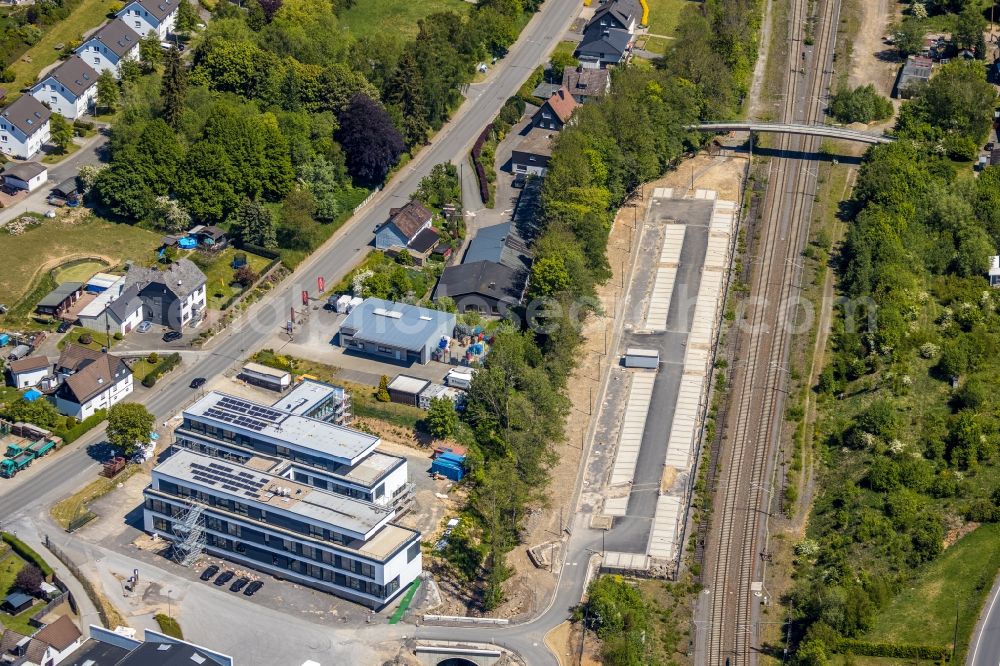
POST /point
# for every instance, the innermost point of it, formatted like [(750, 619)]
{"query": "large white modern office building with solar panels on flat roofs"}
[(290, 495)]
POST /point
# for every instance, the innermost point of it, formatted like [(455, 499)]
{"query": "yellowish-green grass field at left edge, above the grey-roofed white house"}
[(29, 257)]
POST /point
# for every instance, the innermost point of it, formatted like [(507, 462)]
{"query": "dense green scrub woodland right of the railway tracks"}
[(909, 428)]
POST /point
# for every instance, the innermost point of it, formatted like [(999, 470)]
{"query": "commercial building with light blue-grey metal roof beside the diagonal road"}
[(397, 331)]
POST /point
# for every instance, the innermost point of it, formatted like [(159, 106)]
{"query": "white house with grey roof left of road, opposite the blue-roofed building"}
[(173, 297)]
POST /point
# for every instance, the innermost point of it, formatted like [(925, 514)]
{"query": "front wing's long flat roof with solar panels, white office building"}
[(319, 505)]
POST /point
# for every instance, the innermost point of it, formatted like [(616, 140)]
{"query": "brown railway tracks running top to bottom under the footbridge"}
[(737, 543)]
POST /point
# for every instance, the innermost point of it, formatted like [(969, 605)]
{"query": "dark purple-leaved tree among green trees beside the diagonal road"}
[(370, 140)]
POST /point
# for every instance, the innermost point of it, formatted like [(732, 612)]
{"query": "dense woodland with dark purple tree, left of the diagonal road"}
[(286, 119)]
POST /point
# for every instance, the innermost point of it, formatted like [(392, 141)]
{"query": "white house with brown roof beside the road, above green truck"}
[(90, 380)]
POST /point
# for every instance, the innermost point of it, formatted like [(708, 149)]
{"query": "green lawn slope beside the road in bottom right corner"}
[(960, 579)]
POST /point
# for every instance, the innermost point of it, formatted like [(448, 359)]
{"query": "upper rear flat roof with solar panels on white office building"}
[(255, 419)]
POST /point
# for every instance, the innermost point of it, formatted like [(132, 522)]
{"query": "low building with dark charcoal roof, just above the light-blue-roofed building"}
[(486, 287)]
